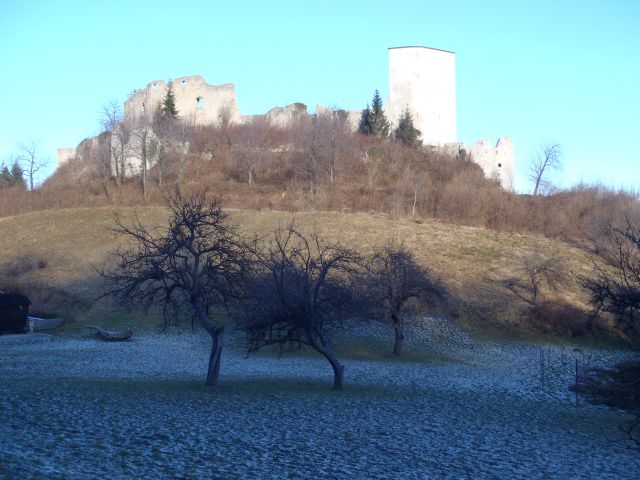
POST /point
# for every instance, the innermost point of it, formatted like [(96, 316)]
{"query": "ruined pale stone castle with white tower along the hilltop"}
[(420, 78)]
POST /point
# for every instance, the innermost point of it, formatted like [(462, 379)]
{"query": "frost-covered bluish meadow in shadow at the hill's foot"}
[(77, 407)]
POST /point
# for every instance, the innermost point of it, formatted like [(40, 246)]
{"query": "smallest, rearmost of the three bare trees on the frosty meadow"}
[(396, 286)]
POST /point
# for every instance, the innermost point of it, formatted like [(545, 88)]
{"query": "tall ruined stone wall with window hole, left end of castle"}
[(196, 101)]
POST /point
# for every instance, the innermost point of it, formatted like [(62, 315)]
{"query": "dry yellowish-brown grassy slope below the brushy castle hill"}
[(52, 256)]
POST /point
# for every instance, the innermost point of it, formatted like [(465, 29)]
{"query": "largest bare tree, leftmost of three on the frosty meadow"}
[(195, 266)]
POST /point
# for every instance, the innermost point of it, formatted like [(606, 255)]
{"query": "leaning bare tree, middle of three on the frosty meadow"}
[(302, 294)]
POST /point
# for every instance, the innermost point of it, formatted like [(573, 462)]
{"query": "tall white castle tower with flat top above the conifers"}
[(424, 79)]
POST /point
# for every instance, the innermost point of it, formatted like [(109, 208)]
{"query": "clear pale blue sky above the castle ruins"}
[(536, 71)]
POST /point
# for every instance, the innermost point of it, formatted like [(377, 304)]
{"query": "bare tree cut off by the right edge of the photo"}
[(614, 286)]
